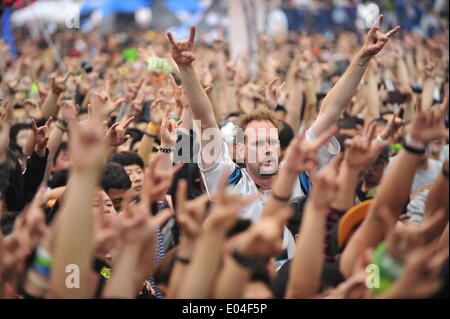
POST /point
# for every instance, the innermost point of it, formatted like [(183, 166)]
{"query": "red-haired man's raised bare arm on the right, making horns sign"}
[(340, 95)]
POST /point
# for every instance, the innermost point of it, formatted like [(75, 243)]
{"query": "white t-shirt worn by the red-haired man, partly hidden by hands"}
[(246, 185)]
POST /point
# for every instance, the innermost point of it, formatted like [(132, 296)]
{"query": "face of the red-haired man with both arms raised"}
[(262, 148)]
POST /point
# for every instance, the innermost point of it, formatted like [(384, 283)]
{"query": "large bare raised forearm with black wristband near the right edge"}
[(394, 191)]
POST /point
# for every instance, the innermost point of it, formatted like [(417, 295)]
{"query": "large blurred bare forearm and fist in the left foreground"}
[(88, 150)]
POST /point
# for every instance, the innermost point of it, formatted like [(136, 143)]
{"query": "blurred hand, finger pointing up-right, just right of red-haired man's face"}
[(302, 153)]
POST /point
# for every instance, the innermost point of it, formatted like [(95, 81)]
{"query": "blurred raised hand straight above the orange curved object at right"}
[(362, 150)]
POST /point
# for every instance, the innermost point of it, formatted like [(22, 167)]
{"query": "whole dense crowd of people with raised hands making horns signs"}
[(173, 173)]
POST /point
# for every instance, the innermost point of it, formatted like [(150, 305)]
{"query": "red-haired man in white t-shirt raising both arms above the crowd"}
[(260, 146)]
